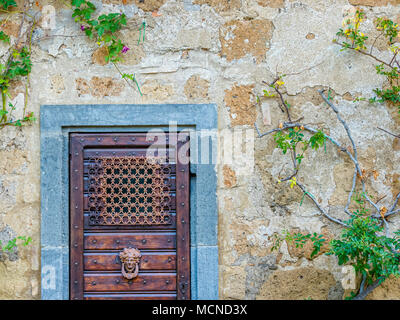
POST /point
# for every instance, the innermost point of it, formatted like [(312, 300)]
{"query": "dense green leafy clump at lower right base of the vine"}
[(373, 255)]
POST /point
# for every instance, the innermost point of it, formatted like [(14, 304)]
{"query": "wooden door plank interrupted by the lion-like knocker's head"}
[(110, 261)]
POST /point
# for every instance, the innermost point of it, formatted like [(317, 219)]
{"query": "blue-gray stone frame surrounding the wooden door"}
[(58, 121)]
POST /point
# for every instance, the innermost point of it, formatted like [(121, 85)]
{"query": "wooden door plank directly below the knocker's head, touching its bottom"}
[(115, 282)]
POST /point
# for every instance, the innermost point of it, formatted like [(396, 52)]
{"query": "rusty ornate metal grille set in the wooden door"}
[(128, 191)]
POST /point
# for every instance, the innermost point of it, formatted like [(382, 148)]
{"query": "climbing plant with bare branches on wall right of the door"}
[(366, 242)]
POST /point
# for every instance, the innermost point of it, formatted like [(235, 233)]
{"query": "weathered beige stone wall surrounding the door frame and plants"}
[(219, 51)]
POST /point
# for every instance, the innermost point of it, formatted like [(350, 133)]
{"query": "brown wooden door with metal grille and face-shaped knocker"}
[(129, 217)]
